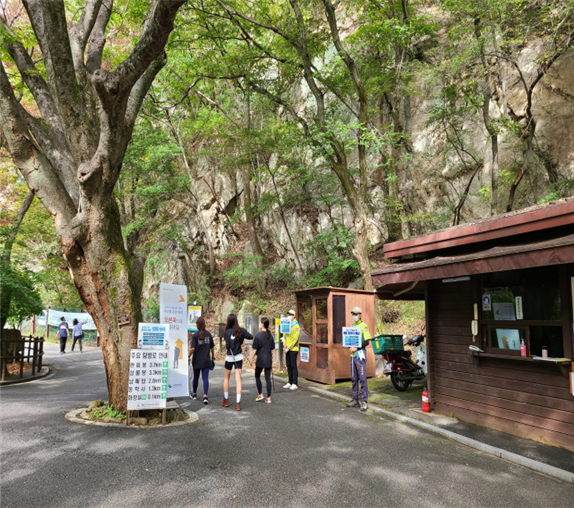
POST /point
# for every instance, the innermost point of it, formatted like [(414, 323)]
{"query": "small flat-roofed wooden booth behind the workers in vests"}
[(321, 313)]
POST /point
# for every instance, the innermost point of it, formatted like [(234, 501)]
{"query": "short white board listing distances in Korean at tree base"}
[(147, 388)]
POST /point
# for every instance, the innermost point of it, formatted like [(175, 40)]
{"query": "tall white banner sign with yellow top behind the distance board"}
[(173, 312)]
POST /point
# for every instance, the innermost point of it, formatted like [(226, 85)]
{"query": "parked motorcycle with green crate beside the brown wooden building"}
[(401, 367)]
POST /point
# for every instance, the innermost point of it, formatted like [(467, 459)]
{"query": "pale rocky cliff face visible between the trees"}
[(431, 186)]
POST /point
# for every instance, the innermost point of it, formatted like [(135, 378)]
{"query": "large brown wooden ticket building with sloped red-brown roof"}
[(514, 275)]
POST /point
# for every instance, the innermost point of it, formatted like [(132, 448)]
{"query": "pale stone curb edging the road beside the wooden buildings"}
[(534, 465)]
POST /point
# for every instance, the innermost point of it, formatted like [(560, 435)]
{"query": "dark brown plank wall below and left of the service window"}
[(521, 397)]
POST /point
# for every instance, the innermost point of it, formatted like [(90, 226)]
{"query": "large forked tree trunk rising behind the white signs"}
[(71, 155)]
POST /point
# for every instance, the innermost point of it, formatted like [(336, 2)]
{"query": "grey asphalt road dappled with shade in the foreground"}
[(301, 451)]
